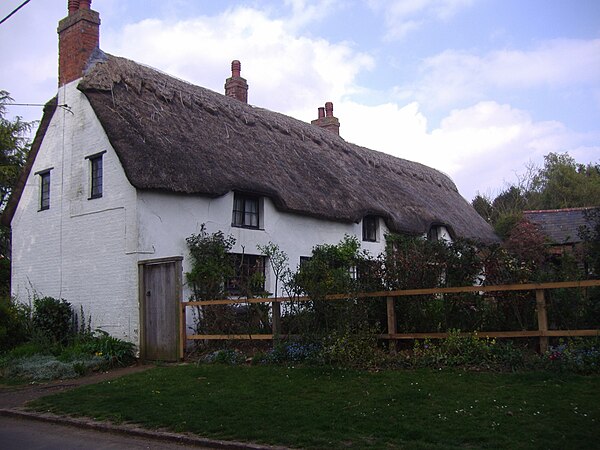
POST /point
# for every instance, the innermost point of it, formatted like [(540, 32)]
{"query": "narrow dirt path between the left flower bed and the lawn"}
[(18, 396)]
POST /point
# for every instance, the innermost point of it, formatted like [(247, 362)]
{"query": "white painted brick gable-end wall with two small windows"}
[(80, 250)]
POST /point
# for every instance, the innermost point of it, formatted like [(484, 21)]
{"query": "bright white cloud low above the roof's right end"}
[(481, 147)]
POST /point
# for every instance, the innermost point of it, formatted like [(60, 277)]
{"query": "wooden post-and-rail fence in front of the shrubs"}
[(543, 333)]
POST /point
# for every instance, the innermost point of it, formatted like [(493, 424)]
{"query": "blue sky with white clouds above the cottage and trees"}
[(478, 89)]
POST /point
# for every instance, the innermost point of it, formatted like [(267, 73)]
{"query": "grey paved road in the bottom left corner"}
[(22, 434)]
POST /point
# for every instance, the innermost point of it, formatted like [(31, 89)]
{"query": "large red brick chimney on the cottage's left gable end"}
[(78, 37)]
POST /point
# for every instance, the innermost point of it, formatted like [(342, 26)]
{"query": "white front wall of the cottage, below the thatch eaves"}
[(166, 220)]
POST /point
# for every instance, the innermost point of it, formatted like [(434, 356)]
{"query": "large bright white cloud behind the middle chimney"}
[(284, 70)]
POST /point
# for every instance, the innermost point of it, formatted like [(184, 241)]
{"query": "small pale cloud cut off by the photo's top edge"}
[(405, 16)]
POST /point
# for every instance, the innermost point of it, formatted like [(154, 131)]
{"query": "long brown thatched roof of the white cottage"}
[(173, 136)]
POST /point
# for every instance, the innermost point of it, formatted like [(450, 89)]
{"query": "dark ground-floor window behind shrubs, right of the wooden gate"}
[(249, 275)]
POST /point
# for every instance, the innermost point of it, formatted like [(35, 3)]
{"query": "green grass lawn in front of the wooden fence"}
[(316, 407)]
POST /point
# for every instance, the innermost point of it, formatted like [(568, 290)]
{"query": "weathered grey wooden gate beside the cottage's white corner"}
[(160, 296)]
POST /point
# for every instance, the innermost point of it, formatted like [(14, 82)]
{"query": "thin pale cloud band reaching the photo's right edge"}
[(458, 76)]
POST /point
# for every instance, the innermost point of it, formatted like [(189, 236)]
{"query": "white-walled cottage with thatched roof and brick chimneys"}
[(128, 162)]
